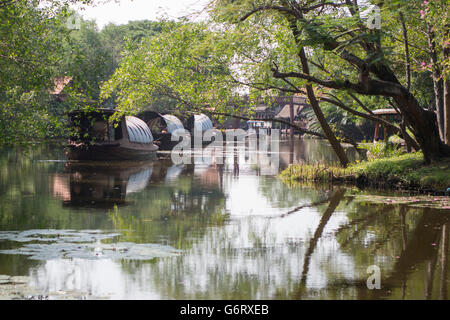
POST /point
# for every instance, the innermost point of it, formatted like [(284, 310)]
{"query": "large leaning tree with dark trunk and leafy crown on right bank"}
[(361, 55)]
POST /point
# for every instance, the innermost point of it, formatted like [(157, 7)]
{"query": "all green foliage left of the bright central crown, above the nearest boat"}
[(37, 46)]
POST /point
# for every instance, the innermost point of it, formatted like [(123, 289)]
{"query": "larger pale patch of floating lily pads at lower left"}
[(60, 244)]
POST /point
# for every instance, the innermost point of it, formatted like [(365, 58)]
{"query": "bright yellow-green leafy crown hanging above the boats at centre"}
[(187, 64)]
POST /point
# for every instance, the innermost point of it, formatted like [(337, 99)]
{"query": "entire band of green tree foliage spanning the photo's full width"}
[(169, 65)]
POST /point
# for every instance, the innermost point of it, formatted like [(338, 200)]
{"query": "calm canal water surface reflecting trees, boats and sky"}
[(208, 230)]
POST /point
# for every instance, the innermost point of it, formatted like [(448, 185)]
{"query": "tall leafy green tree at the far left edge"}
[(31, 32)]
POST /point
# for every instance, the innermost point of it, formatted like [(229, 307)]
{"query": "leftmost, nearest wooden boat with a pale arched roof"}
[(94, 137)]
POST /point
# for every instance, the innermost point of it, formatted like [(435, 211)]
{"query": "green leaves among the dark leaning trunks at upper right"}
[(330, 33)]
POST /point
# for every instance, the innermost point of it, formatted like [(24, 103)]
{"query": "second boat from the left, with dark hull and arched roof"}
[(163, 126)]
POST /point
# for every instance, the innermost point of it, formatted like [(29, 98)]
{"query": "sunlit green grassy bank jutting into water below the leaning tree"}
[(407, 171)]
